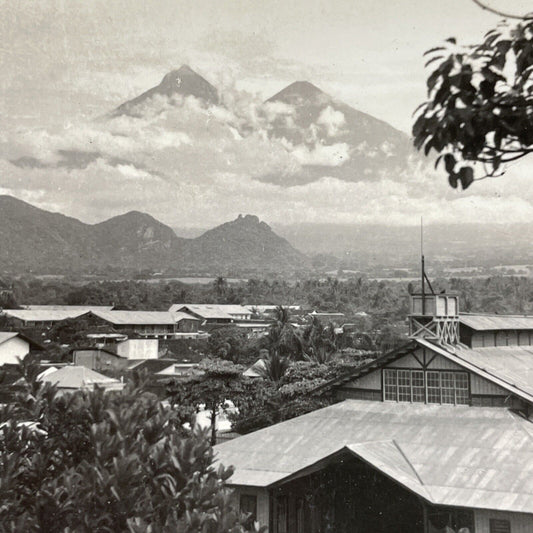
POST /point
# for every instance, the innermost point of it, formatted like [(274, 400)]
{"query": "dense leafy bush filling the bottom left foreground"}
[(106, 462)]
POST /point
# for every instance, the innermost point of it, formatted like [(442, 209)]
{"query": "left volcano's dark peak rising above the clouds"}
[(182, 82)]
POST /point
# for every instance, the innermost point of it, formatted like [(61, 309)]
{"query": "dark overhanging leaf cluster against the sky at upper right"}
[(479, 112)]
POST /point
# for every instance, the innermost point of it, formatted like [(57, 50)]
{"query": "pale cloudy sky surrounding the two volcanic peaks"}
[(67, 62)]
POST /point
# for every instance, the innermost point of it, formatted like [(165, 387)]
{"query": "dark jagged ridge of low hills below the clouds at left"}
[(35, 240)]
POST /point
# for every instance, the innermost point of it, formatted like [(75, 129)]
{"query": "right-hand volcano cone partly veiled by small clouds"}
[(335, 139)]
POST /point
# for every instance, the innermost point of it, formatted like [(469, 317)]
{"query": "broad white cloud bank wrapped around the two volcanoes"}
[(188, 164)]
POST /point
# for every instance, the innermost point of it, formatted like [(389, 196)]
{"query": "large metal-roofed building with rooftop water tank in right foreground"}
[(436, 436)]
